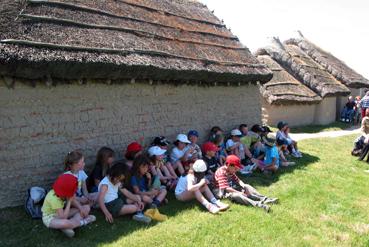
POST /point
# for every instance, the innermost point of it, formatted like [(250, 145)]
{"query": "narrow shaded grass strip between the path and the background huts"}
[(317, 128)]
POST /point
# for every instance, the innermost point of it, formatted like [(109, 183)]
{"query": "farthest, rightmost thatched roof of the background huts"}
[(333, 65)]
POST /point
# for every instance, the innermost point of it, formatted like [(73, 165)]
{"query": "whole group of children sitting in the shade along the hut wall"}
[(139, 185)]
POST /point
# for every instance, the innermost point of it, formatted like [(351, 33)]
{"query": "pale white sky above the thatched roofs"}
[(338, 26)]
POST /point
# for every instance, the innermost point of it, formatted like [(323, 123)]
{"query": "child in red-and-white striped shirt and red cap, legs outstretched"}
[(228, 185)]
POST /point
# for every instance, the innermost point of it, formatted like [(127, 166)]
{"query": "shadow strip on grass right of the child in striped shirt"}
[(260, 179)]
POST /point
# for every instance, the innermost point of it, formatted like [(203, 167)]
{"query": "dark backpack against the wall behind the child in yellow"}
[(34, 200)]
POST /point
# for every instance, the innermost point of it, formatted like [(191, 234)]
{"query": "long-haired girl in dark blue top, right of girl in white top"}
[(144, 185)]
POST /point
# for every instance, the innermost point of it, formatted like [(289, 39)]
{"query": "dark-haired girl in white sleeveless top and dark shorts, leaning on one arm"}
[(115, 201)]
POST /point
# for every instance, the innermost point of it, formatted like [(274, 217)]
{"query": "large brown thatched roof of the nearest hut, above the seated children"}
[(157, 39)]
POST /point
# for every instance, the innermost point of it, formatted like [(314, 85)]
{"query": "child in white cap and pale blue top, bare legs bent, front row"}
[(194, 185)]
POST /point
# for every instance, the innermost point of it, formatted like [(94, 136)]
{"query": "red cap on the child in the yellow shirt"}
[(65, 186)]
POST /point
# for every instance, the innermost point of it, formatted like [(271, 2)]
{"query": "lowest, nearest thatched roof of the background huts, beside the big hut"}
[(284, 88)]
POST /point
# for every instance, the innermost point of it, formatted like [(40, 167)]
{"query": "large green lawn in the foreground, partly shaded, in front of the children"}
[(324, 201)]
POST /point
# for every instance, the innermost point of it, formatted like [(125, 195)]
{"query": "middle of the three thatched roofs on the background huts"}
[(305, 69)]
